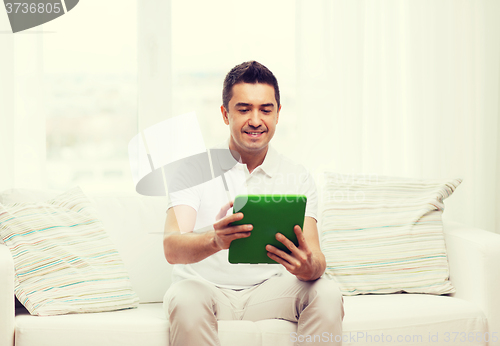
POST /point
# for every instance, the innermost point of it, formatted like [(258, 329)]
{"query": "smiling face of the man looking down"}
[(252, 116)]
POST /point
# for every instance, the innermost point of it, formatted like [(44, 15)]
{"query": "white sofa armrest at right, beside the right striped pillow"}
[(474, 256)]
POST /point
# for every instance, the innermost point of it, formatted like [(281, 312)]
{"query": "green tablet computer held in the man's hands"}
[(269, 214)]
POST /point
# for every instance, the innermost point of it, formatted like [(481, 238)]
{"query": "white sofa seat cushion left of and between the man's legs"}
[(146, 325)]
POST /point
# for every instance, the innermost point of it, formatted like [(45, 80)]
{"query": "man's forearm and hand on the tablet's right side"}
[(306, 261)]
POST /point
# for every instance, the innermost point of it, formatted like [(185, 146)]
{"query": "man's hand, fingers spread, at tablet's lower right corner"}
[(303, 262)]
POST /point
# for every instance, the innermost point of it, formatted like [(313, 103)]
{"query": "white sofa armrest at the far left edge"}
[(7, 325)]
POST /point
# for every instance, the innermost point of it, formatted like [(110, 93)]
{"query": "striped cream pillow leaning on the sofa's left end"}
[(63, 258)]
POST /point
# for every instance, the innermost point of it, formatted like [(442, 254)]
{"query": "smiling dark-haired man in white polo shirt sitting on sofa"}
[(198, 233)]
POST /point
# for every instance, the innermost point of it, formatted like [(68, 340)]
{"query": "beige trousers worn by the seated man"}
[(193, 308)]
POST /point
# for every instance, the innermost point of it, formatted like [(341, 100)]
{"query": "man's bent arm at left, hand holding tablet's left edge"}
[(182, 245)]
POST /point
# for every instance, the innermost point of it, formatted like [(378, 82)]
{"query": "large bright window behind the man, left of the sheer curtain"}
[(107, 70)]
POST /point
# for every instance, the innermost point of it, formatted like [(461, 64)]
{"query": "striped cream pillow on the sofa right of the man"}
[(385, 234)]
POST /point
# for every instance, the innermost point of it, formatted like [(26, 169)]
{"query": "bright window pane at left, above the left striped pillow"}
[(90, 80)]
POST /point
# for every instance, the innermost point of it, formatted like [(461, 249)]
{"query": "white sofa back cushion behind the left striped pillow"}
[(135, 225)]
